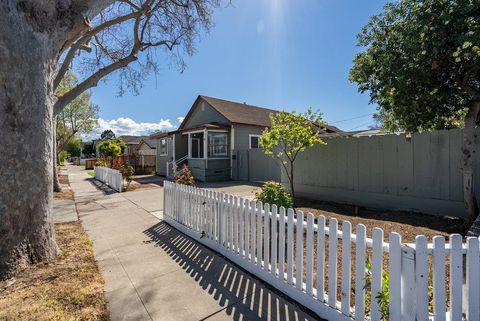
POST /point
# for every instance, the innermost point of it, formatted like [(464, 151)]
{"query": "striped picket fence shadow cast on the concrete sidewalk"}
[(239, 295)]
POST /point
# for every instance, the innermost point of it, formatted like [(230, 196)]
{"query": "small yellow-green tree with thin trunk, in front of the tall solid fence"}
[(289, 135)]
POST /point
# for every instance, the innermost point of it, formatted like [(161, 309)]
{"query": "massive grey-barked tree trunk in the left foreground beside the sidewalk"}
[(26, 124)]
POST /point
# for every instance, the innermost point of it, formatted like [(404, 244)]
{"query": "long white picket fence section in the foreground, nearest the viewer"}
[(298, 253)]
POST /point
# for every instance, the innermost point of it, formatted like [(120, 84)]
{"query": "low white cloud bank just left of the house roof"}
[(127, 126)]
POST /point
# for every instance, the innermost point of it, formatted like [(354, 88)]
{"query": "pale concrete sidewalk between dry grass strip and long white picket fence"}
[(153, 272)]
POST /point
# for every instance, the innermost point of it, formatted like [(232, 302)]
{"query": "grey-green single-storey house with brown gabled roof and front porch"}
[(214, 139)]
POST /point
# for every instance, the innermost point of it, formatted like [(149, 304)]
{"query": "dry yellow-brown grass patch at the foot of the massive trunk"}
[(70, 288)]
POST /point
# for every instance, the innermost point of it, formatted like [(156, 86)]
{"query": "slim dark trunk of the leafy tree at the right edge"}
[(468, 153)]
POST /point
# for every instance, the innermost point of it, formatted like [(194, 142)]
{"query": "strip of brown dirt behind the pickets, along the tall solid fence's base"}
[(407, 224)]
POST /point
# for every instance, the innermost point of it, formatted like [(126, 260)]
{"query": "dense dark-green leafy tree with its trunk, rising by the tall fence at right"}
[(421, 65)]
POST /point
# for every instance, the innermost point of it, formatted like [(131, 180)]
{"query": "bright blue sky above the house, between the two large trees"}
[(290, 54)]
